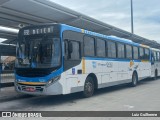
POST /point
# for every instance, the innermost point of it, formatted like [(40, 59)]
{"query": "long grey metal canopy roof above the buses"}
[(18, 13)]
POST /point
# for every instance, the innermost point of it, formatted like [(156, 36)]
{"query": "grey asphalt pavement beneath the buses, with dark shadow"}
[(144, 97)]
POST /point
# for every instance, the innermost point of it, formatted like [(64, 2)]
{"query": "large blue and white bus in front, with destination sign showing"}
[(57, 59)]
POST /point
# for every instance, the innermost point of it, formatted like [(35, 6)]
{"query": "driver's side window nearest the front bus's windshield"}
[(72, 50)]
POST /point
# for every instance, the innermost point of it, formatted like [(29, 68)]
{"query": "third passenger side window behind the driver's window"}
[(111, 49)]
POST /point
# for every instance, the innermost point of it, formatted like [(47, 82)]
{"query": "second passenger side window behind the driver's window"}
[(101, 48)]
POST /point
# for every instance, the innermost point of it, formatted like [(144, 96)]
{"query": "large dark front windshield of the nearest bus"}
[(38, 53)]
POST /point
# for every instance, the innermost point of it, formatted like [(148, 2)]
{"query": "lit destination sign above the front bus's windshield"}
[(37, 31)]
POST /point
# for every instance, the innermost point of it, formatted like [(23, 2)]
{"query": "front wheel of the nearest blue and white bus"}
[(88, 87)]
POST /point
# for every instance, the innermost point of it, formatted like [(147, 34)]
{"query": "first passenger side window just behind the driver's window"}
[(89, 49)]
